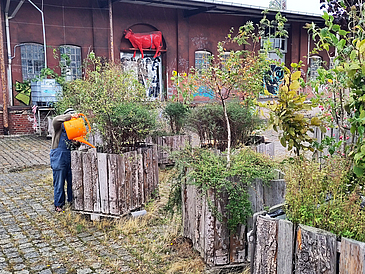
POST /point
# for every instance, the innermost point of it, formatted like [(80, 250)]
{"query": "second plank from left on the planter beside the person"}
[(88, 181)]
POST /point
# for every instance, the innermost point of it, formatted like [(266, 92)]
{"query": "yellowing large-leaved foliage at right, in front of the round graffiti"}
[(287, 114)]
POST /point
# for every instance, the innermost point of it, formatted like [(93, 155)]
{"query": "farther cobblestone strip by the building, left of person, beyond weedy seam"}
[(18, 152)]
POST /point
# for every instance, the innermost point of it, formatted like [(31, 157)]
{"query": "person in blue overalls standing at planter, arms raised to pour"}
[(61, 159)]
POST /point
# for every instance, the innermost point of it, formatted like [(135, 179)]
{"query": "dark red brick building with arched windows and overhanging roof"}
[(190, 31)]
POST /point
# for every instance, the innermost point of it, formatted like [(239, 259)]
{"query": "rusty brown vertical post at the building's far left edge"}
[(3, 81)]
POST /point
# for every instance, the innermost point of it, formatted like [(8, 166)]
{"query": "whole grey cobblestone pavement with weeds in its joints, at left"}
[(35, 239)]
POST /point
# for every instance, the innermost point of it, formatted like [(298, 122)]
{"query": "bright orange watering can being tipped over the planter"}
[(76, 130)]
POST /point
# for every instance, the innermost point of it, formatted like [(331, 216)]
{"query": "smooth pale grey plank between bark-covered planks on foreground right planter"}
[(285, 239)]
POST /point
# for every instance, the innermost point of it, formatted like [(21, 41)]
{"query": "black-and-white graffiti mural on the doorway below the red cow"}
[(147, 70)]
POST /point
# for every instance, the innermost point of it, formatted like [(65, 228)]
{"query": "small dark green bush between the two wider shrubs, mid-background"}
[(175, 113)]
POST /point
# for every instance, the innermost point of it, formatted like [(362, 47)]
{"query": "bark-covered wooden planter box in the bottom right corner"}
[(281, 247)]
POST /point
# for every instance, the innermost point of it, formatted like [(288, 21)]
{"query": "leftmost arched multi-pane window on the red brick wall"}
[(32, 57)]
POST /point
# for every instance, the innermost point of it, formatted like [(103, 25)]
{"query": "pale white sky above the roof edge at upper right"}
[(309, 6)]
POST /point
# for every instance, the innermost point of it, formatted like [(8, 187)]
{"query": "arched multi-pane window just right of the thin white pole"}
[(71, 62)]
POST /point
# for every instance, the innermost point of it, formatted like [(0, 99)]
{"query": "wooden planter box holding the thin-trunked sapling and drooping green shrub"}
[(210, 237)]
